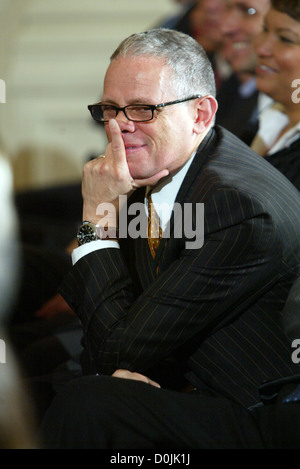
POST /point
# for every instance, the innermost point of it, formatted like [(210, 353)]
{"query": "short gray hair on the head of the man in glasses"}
[(191, 69)]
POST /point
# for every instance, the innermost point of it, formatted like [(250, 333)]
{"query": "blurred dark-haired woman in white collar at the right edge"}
[(278, 51)]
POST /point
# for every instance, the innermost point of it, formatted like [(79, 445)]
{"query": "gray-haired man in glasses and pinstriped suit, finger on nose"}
[(178, 336)]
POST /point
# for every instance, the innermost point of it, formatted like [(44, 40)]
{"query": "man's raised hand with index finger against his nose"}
[(104, 179)]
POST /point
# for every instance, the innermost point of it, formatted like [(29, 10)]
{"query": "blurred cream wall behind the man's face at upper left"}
[(53, 56)]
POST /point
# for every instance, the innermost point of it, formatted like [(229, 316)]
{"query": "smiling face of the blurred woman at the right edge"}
[(278, 51)]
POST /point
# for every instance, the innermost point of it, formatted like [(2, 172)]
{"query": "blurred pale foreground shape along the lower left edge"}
[(16, 412)]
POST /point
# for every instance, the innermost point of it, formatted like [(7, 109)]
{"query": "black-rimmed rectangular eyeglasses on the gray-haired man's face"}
[(134, 112)]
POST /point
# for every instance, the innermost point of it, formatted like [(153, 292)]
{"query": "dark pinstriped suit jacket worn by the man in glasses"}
[(212, 314)]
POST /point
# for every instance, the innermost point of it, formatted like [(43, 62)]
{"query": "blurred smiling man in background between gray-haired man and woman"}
[(241, 22)]
